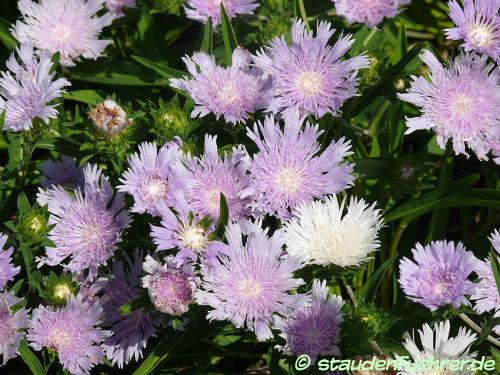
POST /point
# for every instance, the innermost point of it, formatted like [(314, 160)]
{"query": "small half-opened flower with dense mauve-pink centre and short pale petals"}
[(170, 288)]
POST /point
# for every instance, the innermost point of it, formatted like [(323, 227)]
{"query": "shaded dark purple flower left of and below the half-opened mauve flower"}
[(130, 332)]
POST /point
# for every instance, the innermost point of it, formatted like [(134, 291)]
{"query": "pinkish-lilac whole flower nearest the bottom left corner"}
[(72, 332)]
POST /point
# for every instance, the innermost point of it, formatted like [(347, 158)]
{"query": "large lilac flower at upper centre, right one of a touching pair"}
[(309, 75)]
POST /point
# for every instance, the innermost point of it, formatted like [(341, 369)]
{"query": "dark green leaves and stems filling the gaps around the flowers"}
[(426, 193)]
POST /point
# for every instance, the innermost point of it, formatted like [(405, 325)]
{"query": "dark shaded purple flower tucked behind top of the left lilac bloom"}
[(64, 173)]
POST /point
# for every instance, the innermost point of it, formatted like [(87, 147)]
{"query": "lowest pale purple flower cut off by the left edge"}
[(11, 325)]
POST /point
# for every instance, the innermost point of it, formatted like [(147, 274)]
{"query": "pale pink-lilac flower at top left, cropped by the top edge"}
[(70, 27)]
